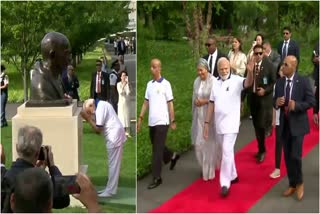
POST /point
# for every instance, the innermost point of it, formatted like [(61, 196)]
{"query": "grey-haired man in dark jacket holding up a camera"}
[(29, 148)]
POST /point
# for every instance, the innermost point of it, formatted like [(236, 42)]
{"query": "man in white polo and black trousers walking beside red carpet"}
[(159, 99)]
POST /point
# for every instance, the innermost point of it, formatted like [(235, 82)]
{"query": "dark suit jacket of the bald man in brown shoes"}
[(304, 98)]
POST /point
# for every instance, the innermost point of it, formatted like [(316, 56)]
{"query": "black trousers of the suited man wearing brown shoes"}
[(292, 147)]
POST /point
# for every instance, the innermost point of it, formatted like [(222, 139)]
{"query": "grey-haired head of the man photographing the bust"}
[(29, 142)]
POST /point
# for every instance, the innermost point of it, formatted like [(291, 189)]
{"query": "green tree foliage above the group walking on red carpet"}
[(196, 20)]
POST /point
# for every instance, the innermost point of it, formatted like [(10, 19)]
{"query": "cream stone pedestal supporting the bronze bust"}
[(61, 129)]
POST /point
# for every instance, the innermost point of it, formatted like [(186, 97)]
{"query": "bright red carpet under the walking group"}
[(203, 196)]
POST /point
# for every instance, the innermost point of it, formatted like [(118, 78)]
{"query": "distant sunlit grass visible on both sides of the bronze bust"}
[(83, 71)]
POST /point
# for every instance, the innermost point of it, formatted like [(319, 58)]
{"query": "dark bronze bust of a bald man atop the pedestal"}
[(46, 82)]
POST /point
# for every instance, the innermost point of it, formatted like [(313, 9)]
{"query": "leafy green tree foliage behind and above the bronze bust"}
[(24, 23)]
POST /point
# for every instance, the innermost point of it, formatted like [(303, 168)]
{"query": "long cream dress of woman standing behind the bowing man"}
[(124, 104)]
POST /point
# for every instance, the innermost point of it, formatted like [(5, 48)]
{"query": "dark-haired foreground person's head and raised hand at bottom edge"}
[(33, 192)]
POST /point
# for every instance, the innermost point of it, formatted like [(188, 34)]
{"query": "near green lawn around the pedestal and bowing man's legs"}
[(94, 152)]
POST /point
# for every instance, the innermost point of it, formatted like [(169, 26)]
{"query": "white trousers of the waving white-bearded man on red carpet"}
[(228, 170)]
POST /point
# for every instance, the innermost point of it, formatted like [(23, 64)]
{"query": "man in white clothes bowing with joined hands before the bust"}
[(109, 124)]
